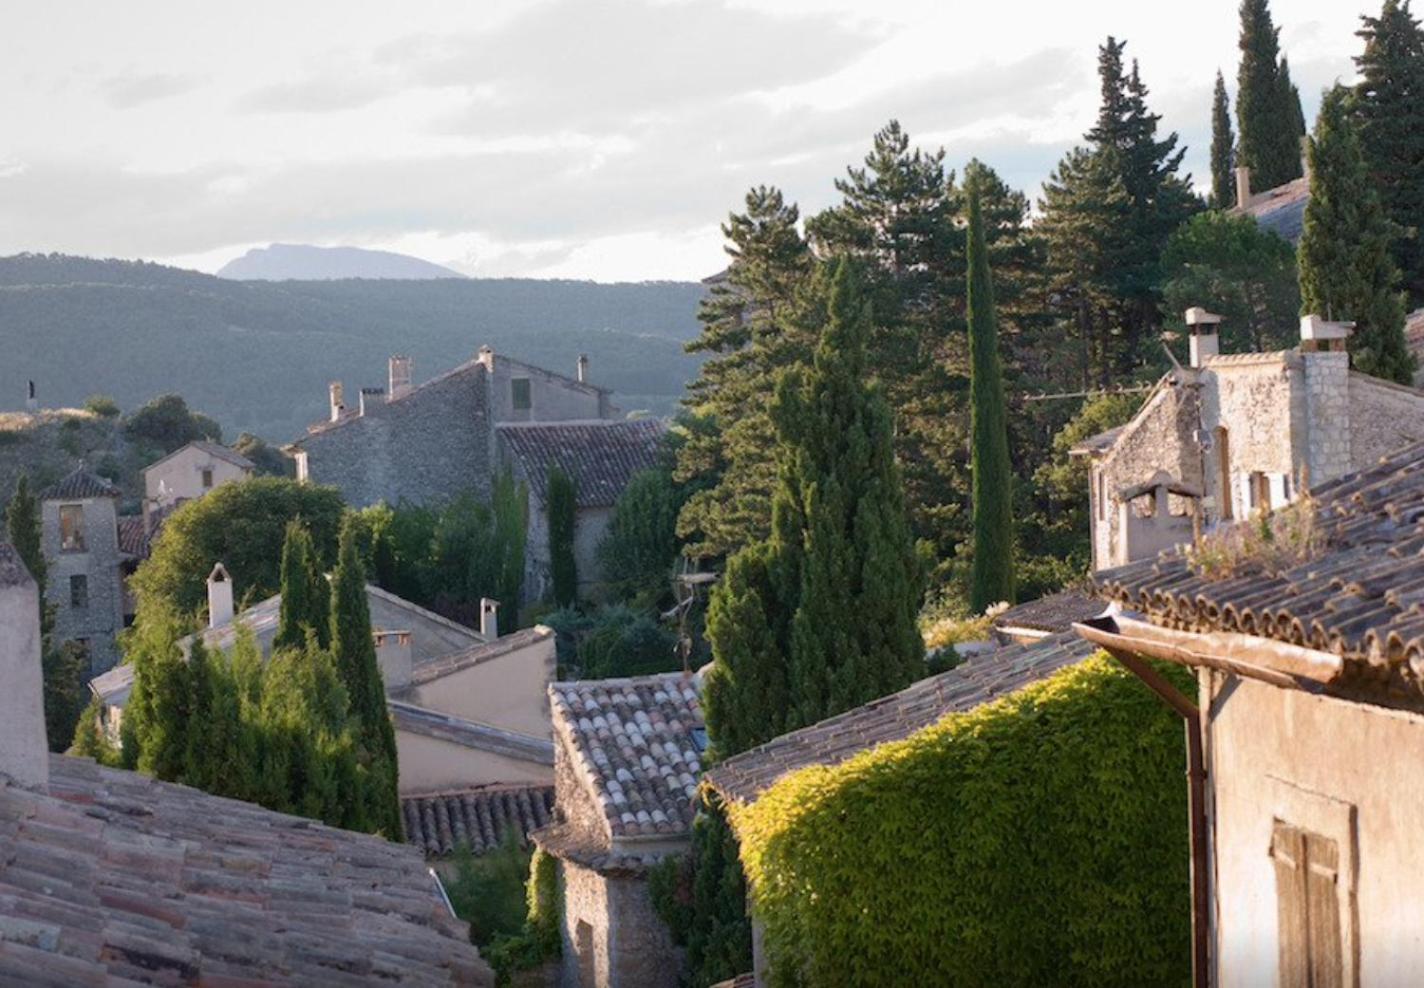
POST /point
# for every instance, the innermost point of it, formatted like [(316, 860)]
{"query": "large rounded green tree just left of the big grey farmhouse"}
[(241, 526)]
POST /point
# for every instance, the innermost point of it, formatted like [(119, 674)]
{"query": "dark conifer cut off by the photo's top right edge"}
[(1391, 113)]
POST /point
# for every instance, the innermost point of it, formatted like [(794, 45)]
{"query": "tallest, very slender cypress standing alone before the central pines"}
[(992, 579)]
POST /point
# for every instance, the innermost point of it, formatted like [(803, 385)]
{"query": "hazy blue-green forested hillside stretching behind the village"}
[(257, 355)]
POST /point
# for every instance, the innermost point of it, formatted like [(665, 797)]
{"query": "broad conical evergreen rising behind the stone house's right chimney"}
[(1346, 270)]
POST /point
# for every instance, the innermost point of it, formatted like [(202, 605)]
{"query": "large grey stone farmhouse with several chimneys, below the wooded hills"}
[(452, 435)]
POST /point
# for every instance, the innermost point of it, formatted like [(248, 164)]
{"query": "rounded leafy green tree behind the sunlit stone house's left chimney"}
[(1230, 266)]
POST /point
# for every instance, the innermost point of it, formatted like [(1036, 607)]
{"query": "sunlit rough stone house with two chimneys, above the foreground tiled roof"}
[(1231, 435)]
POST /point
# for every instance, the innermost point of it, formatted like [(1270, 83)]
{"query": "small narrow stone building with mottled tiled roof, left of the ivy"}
[(626, 772)]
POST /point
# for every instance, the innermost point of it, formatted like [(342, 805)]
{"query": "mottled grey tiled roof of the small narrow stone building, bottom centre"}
[(634, 742)]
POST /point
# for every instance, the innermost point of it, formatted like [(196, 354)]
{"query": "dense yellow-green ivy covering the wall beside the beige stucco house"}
[(1040, 839)]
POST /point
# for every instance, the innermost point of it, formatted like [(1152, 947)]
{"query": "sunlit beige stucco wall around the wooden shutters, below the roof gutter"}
[(1349, 772)]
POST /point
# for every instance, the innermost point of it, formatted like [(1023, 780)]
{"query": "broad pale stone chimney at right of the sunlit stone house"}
[(1328, 398)]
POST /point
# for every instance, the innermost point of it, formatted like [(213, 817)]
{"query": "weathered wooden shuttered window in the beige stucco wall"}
[(1308, 905)]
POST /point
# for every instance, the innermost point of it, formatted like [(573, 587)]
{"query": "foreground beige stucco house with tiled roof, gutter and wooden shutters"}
[(1307, 735)]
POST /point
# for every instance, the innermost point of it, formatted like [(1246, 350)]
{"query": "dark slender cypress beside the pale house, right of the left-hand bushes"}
[(360, 673)]
